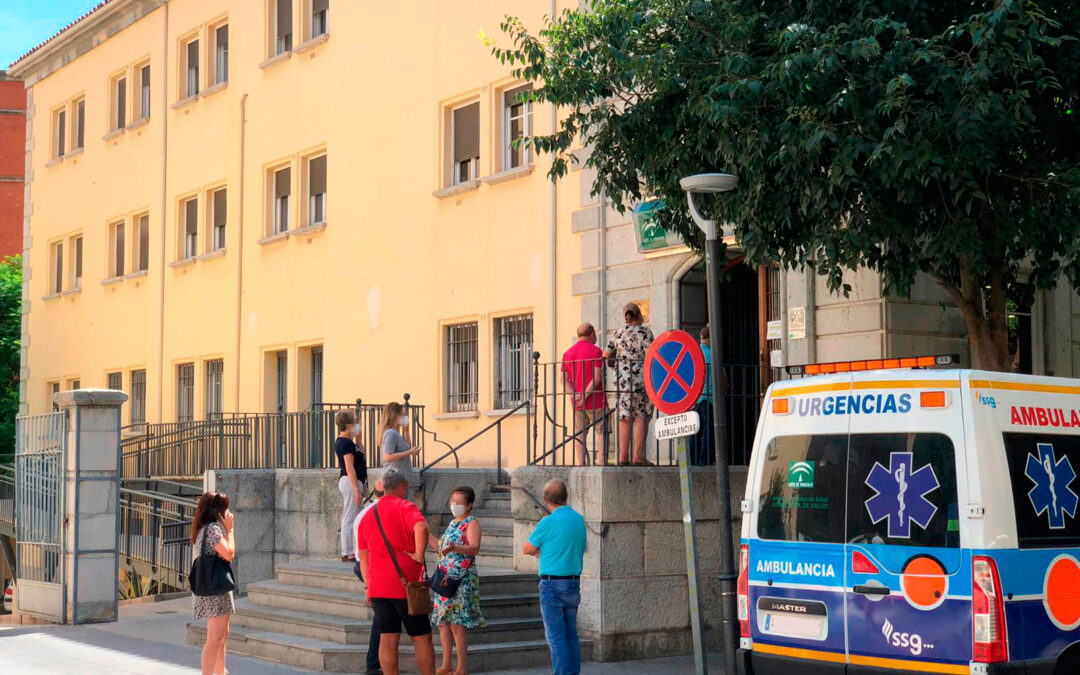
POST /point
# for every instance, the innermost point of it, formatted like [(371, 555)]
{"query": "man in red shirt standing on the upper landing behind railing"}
[(584, 376)]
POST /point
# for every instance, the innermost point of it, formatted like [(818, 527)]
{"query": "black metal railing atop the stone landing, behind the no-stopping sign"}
[(572, 429)]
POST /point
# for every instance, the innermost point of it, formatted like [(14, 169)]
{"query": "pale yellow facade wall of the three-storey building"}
[(375, 288)]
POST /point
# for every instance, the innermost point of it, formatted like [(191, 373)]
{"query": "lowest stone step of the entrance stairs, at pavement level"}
[(323, 656)]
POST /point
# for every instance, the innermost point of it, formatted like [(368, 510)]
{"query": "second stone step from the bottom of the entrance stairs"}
[(342, 631)]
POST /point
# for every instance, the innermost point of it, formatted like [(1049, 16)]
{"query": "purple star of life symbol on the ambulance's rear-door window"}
[(902, 495)]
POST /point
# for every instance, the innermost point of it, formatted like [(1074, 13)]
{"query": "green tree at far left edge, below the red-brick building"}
[(11, 330)]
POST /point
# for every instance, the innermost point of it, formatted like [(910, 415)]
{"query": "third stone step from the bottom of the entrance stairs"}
[(349, 606)]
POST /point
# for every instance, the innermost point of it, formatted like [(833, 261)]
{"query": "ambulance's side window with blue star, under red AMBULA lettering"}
[(1046, 489)]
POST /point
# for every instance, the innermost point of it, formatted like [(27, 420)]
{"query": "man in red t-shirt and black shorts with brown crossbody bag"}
[(408, 533)]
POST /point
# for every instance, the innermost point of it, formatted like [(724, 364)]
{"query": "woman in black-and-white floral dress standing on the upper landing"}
[(628, 347)]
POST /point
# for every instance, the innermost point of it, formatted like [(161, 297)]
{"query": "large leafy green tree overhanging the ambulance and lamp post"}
[(906, 137)]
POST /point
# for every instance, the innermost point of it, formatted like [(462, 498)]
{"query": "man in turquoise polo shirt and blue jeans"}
[(560, 543)]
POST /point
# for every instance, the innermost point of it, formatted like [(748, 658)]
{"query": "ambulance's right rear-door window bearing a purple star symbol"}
[(902, 491)]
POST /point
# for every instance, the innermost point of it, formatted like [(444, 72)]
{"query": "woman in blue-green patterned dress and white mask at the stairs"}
[(458, 549)]
